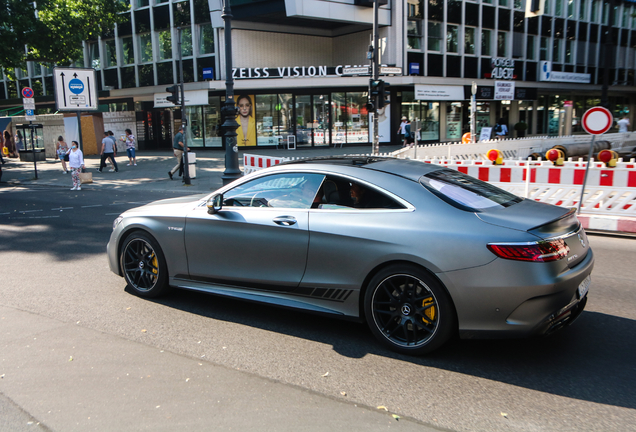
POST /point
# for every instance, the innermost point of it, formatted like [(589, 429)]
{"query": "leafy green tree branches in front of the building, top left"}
[(52, 31)]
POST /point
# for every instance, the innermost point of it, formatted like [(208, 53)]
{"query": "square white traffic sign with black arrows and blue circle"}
[(75, 89)]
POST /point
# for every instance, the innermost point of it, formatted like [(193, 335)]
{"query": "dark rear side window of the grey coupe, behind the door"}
[(339, 192)]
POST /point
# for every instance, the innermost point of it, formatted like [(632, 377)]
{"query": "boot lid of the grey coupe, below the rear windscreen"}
[(529, 215)]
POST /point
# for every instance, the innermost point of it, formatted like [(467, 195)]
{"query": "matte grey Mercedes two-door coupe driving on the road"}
[(418, 251)]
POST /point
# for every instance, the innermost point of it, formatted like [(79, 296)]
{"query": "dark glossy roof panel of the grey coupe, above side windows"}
[(406, 168)]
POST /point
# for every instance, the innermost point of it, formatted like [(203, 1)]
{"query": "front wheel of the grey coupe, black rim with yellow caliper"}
[(144, 266)]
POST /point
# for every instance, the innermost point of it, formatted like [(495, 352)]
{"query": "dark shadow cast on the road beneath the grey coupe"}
[(593, 360)]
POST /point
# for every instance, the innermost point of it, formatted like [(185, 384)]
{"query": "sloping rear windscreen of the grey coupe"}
[(466, 192)]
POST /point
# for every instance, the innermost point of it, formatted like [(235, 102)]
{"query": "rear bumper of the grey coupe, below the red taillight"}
[(497, 304)]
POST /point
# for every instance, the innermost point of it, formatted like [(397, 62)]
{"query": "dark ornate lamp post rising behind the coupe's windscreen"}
[(228, 111)]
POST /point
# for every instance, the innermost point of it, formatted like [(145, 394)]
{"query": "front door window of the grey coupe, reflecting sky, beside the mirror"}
[(289, 190)]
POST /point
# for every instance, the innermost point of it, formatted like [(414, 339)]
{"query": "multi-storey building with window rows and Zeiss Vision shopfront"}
[(293, 62)]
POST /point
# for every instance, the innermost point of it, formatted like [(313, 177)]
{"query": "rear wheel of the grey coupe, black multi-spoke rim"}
[(408, 311)]
